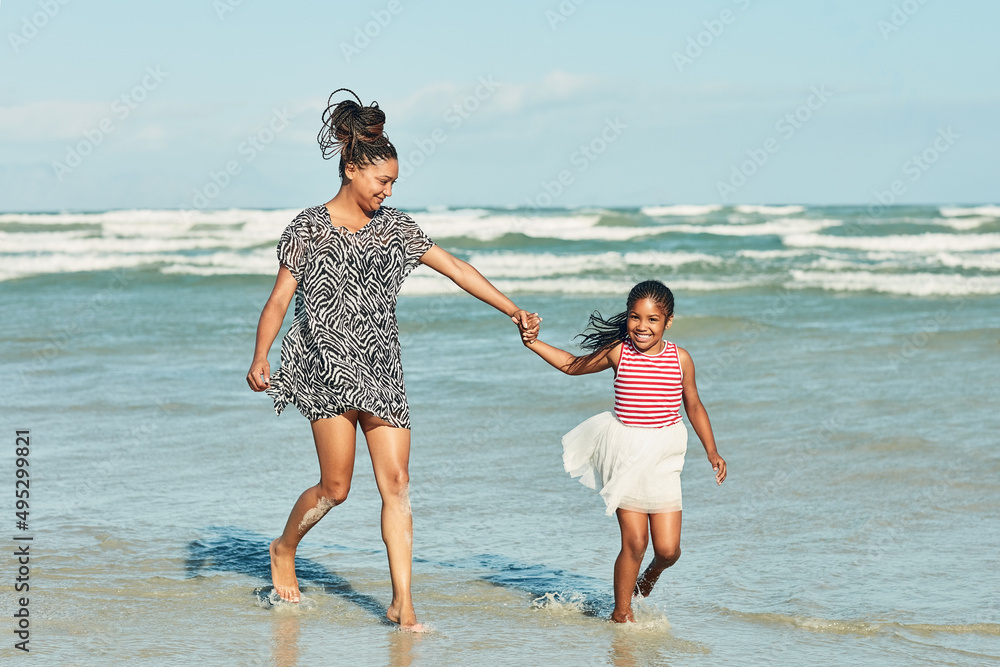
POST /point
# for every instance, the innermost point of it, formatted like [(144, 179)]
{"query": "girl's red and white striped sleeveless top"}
[(648, 387)]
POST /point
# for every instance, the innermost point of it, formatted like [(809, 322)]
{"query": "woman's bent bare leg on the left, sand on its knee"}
[(335, 448)]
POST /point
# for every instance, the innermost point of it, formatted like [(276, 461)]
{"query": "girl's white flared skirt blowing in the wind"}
[(633, 468)]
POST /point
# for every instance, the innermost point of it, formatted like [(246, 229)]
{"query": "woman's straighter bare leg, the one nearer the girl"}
[(390, 451)]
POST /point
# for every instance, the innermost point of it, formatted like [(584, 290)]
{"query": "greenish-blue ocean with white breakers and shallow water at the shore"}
[(847, 356)]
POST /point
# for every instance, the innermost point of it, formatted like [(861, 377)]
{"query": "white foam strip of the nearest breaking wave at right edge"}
[(913, 284)]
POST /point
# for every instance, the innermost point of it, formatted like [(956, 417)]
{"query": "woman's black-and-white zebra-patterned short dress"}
[(342, 350)]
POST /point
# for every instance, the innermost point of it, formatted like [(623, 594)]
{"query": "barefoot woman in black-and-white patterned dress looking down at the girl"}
[(344, 261)]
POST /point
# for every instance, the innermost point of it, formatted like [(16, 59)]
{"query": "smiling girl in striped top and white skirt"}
[(635, 455)]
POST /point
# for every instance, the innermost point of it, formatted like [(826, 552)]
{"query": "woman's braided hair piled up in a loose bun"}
[(355, 131)]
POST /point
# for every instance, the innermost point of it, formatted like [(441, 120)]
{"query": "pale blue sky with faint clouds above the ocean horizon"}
[(194, 104)]
